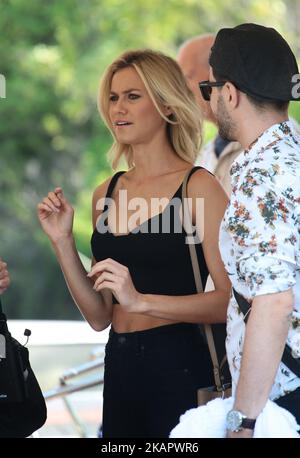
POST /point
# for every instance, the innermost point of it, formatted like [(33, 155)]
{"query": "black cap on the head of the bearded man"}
[(256, 59)]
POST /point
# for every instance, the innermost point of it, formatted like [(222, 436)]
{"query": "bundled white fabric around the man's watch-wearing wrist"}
[(209, 421)]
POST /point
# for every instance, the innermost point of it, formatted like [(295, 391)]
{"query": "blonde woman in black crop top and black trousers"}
[(141, 282)]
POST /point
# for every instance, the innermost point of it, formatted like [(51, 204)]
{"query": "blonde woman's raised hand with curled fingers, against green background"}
[(56, 215)]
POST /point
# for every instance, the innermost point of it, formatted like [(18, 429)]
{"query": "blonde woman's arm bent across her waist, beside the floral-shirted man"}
[(207, 307)]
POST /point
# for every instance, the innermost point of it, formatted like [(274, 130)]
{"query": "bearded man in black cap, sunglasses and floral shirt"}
[(251, 81)]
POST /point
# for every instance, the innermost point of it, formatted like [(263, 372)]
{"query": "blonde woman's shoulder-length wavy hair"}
[(166, 86)]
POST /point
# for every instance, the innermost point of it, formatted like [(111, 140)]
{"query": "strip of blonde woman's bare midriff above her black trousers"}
[(130, 322)]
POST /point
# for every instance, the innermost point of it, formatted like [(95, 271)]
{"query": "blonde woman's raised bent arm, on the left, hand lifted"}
[(56, 217)]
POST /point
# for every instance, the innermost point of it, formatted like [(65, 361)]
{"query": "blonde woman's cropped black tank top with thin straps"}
[(159, 262)]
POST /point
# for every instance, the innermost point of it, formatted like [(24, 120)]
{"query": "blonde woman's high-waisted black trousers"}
[(151, 378)]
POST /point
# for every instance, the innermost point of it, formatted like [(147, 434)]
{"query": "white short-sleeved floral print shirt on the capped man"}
[(260, 238)]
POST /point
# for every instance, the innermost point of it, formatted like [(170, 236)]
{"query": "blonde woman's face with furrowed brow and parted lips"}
[(133, 115)]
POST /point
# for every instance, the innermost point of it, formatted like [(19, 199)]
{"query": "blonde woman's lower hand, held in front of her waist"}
[(116, 277)]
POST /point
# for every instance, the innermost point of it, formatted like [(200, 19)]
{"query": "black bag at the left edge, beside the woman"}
[(22, 405)]
